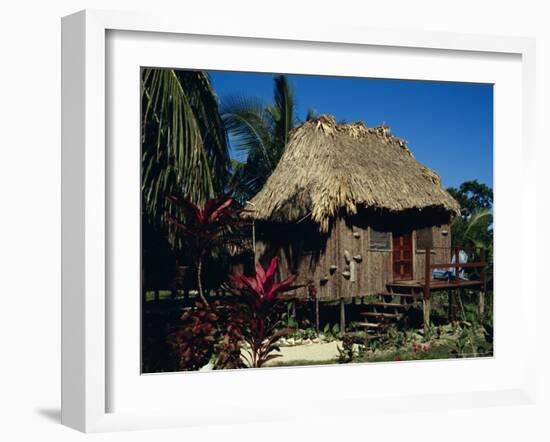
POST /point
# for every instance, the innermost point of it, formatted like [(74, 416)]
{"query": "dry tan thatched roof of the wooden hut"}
[(328, 168)]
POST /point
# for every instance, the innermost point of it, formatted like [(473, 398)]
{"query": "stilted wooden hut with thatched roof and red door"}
[(349, 209)]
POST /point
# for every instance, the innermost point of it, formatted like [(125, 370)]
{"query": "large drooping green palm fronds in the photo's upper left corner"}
[(184, 144)]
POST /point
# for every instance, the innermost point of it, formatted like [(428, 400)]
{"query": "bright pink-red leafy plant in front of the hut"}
[(262, 312)]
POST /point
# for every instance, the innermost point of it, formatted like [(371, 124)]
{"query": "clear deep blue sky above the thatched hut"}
[(448, 126)]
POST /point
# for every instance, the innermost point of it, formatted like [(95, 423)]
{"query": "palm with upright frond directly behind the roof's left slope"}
[(261, 132)]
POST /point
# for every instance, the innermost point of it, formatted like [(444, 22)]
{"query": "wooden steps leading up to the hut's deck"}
[(387, 309)]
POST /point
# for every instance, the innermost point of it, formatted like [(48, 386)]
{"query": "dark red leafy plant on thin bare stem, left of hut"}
[(205, 227)]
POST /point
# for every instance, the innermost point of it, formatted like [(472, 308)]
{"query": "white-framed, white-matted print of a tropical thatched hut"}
[(285, 210)]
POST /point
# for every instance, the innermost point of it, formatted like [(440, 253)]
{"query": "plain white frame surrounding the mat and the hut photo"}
[(86, 314)]
